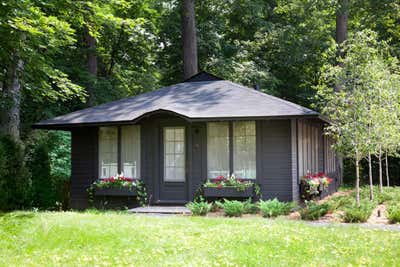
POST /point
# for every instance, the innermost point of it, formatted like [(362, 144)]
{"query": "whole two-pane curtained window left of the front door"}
[(119, 151)]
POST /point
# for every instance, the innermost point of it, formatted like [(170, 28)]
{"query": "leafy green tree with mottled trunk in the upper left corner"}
[(30, 40)]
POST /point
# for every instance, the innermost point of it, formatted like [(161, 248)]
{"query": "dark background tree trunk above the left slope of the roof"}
[(91, 64)]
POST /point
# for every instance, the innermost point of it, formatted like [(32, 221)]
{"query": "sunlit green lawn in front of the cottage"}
[(111, 239)]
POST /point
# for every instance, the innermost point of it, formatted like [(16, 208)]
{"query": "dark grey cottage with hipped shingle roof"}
[(176, 137)]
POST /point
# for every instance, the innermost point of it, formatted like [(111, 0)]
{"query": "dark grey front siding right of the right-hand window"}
[(274, 164)]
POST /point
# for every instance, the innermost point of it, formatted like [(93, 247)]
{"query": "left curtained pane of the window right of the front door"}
[(217, 149)]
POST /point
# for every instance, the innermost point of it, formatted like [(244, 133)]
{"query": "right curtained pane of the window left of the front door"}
[(130, 151)]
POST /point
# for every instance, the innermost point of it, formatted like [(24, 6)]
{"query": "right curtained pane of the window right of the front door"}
[(244, 149)]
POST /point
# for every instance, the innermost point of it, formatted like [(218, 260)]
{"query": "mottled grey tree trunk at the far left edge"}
[(11, 94)]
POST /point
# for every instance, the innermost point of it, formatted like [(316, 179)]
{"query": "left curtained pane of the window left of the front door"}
[(108, 151)]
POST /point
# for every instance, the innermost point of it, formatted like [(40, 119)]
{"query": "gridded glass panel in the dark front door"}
[(174, 154)]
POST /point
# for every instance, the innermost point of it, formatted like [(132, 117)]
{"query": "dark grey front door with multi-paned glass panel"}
[(173, 180)]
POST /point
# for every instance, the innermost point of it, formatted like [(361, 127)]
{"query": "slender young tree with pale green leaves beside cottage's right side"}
[(357, 112)]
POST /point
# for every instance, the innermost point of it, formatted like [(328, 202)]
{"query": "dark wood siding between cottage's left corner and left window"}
[(84, 165)]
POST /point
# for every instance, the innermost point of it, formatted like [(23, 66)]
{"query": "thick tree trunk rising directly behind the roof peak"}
[(190, 65)]
